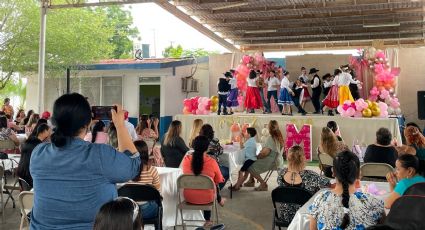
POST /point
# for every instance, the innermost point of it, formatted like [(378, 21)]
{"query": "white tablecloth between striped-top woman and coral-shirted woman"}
[(168, 178)]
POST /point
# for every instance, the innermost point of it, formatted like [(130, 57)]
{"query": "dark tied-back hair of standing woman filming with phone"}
[(71, 113)]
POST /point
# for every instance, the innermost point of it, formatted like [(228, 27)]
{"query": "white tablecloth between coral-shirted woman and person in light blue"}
[(234, 157)]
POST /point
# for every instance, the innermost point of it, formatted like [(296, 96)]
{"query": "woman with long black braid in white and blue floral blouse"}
[(343, 207)]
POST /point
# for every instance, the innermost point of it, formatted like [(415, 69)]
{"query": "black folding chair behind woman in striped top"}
[(138, 193)]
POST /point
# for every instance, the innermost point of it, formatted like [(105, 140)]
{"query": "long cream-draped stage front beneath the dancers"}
[(361, 129)]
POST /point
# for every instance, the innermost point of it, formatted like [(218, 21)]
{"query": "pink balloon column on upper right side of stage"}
[(385, 77)]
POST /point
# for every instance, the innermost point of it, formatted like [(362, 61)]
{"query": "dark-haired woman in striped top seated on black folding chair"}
[(148, 176)]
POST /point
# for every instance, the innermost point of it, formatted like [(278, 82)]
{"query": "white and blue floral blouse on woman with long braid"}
[(364, 210)]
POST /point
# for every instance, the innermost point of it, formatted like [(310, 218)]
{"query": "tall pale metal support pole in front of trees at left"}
[(42, 54)]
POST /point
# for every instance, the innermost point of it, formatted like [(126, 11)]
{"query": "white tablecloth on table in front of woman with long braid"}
[(301, 219)]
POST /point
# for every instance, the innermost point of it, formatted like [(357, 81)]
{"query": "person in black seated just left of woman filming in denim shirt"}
[(24, 163)]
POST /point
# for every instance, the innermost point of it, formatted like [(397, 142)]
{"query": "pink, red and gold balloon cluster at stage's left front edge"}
[(200, 105)]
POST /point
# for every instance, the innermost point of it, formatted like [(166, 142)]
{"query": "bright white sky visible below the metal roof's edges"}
[(160, 29)]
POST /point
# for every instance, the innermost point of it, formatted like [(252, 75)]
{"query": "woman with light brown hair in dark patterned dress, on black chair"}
[(295, 175)]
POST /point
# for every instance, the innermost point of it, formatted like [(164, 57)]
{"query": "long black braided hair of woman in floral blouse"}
[(347, 171)]
